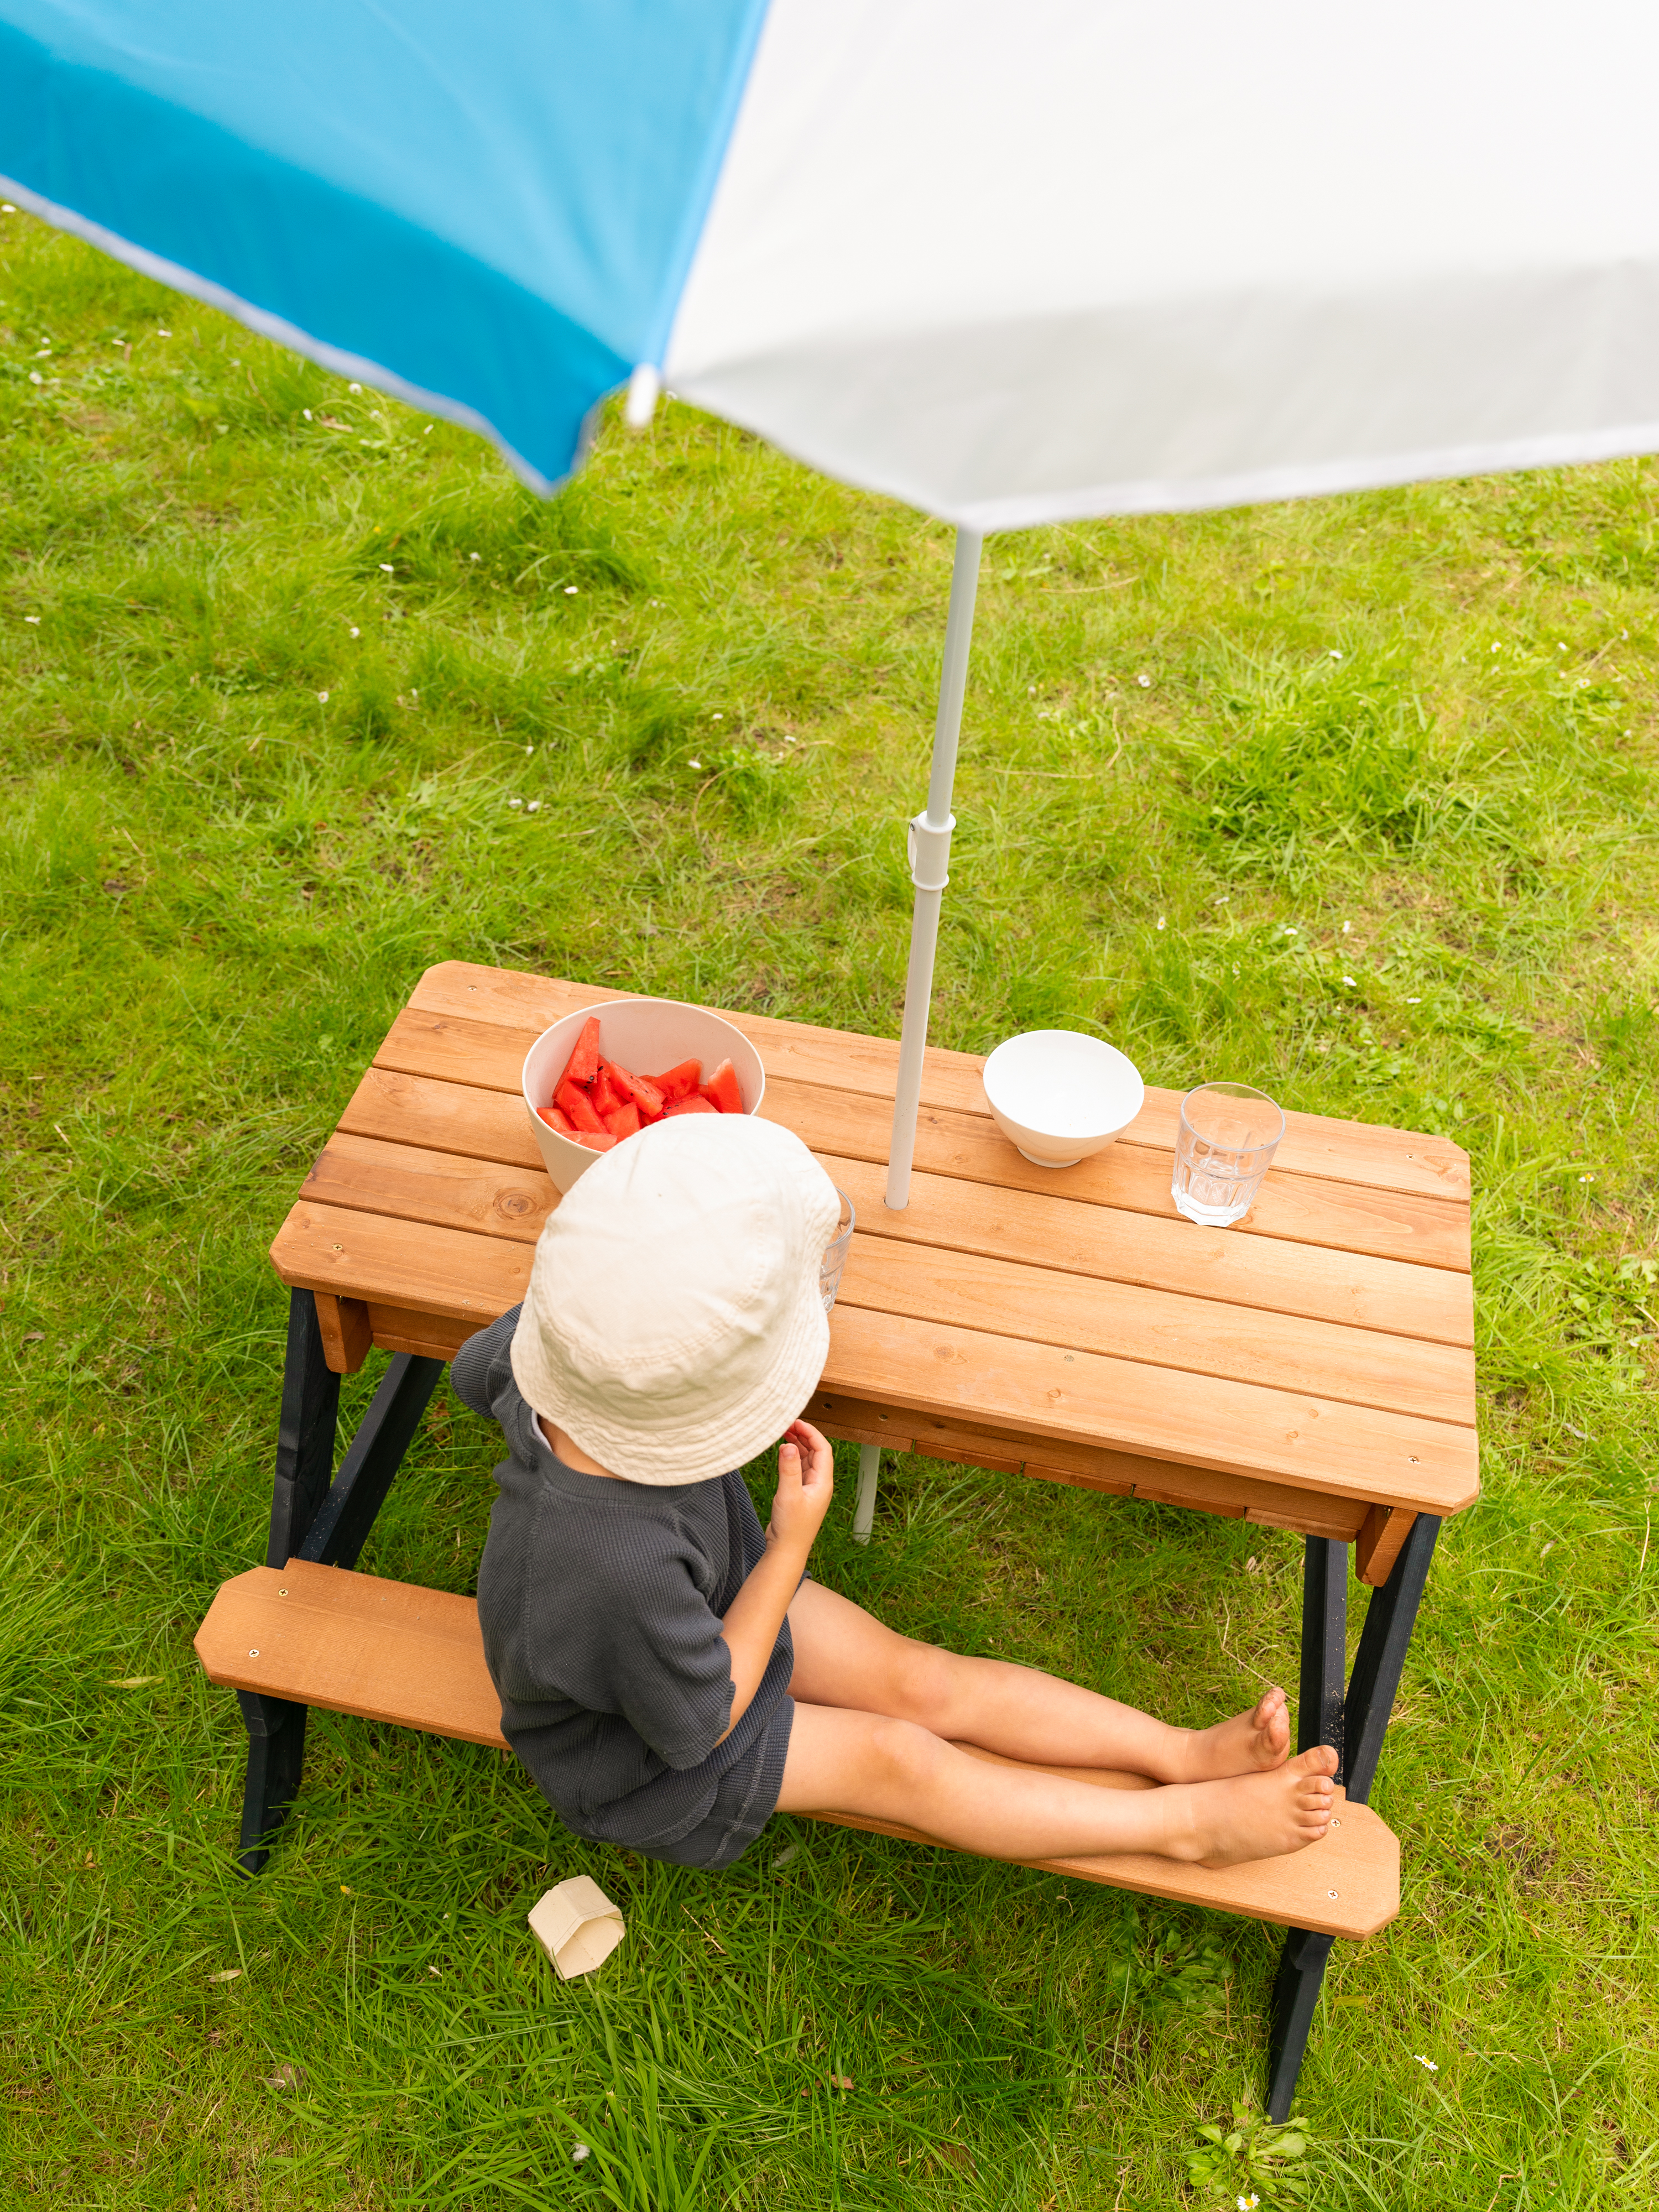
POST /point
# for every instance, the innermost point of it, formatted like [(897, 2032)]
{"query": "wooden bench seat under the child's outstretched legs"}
[(388, 1651)]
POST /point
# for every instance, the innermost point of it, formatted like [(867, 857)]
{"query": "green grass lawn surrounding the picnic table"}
[(1353, 800)]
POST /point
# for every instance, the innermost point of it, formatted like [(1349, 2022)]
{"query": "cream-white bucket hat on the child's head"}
[(674, 1324)]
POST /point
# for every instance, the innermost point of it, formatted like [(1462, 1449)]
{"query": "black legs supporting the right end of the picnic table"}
[(1355, 1726)]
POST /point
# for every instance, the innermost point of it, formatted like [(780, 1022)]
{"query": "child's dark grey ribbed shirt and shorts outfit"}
[(601, 1605)]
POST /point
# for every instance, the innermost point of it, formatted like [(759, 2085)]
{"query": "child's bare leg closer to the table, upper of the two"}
[(846, 1658)]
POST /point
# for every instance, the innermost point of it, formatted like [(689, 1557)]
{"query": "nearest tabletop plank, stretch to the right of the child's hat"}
[(1202, 1421)]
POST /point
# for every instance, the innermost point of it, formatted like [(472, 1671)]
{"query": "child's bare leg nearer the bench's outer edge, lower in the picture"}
[(895, 1771)]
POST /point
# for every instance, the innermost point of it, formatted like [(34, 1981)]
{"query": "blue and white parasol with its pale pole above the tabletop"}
[(1012, 264)]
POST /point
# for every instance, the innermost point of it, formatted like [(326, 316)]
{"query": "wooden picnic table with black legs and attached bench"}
[(1311, 1368)]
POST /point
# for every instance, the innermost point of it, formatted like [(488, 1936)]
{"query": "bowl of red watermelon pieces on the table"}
[(603, 1074)]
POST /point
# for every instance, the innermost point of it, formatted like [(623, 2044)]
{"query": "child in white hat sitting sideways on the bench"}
[(667, 1671)]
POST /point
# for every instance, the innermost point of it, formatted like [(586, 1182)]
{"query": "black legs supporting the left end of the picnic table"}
[(315, 1519)]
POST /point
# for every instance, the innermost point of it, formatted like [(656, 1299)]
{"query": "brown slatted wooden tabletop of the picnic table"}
[(1317, 1359)]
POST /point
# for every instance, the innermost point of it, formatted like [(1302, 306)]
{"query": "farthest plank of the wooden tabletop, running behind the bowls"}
[(1313, 1145)]
